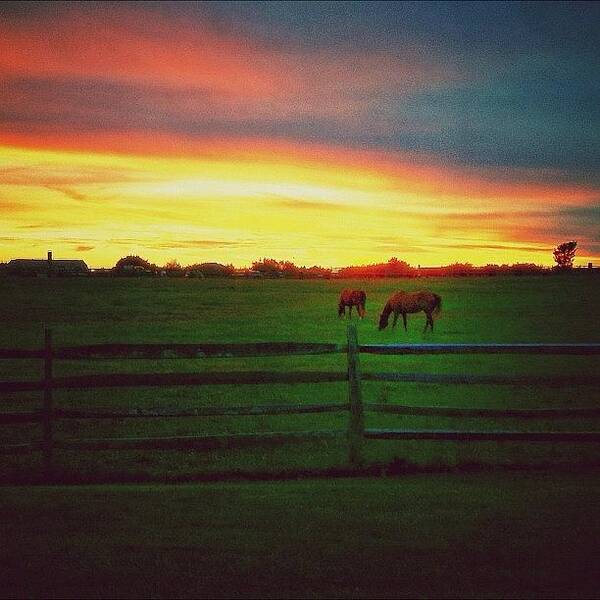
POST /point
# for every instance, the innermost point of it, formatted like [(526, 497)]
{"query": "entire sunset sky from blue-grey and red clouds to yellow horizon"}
[(322, 133)]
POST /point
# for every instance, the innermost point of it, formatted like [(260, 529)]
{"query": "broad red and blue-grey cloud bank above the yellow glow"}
[(382, 77)]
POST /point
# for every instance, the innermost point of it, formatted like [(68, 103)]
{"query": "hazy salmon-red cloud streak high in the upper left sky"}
[(247, 79)]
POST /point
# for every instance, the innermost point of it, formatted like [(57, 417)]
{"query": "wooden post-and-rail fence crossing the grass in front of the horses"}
[(356, 432)]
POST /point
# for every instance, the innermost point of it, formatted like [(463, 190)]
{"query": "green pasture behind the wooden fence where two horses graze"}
[(518, 309)]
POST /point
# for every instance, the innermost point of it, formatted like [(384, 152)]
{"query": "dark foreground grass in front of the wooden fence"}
[(430, 536)]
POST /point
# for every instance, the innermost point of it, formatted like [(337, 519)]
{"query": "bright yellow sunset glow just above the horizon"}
[(101, 206)]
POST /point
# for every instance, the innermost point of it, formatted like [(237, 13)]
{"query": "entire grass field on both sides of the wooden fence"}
[(479, 534)]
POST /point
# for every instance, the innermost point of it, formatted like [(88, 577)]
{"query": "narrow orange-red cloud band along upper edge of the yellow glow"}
[(409, 173)]
